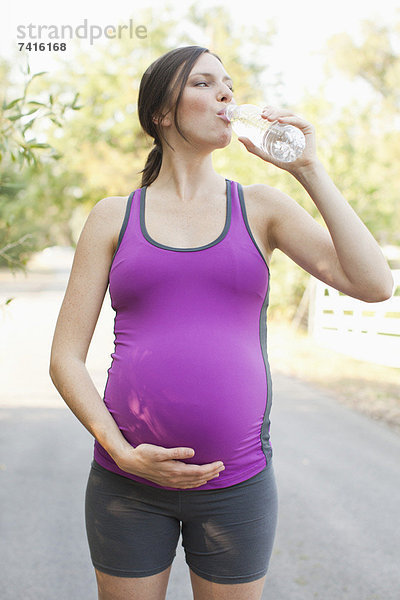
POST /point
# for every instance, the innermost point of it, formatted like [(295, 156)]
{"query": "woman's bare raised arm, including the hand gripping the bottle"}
[(346, 255)]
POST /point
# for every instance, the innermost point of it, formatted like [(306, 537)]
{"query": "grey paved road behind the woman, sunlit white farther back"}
[(338, 477)]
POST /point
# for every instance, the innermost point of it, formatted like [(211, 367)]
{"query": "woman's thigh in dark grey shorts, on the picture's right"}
[(228, 534)]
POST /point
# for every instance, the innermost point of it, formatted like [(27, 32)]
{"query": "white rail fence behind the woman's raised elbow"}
[(365, 330)]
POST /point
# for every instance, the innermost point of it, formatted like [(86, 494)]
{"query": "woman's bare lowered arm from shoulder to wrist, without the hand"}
[(75, 325)]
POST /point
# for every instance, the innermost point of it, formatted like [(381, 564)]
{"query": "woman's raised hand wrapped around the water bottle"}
[(306, 159)]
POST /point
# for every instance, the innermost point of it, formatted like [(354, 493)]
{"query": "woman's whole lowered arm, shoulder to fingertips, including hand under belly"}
[(75, 325)]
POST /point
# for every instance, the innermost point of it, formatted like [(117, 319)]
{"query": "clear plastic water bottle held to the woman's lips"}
[(281, 141)]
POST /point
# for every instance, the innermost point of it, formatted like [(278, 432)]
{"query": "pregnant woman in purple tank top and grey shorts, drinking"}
[(182, 432)]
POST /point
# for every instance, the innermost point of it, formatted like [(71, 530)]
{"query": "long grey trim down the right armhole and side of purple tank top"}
[(264, 434)]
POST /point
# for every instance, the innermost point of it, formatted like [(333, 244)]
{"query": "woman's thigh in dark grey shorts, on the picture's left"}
[(131, 529)]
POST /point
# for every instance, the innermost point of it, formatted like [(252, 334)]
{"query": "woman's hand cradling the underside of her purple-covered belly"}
[(164, 466)]
